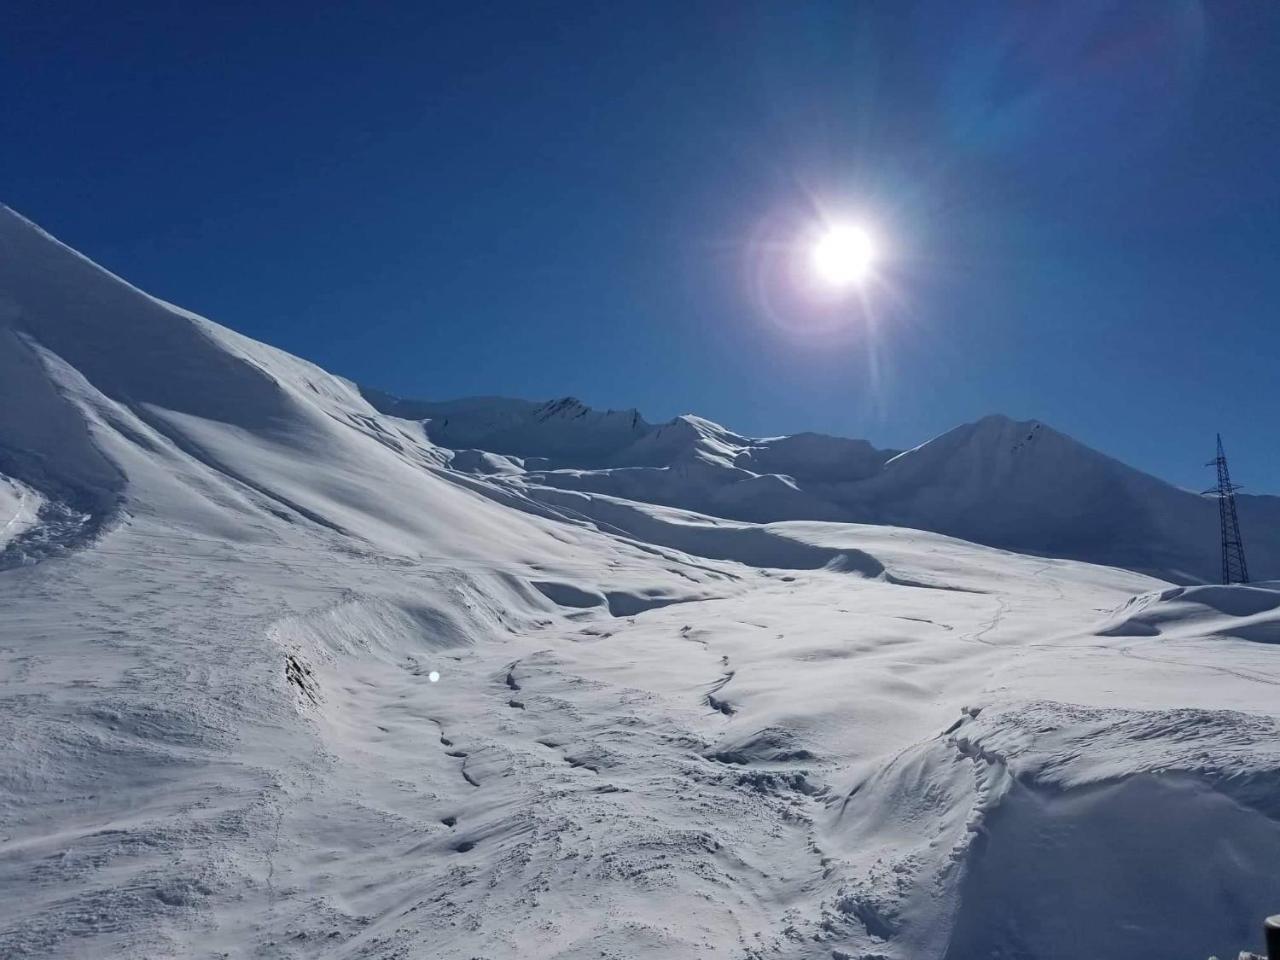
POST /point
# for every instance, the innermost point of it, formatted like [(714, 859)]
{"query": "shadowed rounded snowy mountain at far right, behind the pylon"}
[(1027, 487)]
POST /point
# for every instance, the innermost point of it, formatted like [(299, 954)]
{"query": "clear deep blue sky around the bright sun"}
[(1080, 207)]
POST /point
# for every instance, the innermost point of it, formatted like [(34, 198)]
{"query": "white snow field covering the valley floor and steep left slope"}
[(278, 680)]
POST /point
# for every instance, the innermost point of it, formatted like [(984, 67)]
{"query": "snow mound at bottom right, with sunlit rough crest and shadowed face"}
[(1141, 835)]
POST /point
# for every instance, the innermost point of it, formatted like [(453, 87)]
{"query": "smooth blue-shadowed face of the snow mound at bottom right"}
[(1068, 876)]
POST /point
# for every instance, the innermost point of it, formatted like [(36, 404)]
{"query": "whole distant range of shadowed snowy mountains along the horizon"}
[(1017, 486)]
